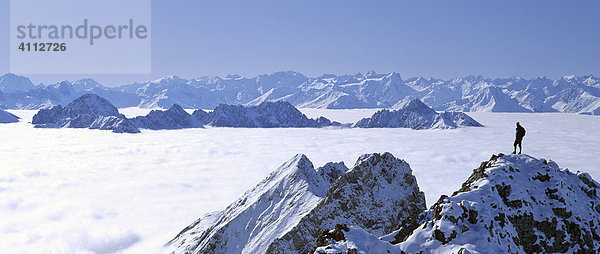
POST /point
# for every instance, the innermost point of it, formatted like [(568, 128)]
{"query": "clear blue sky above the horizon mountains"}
[(442, 39)]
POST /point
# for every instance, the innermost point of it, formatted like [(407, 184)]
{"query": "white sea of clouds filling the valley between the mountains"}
[(91, 191)]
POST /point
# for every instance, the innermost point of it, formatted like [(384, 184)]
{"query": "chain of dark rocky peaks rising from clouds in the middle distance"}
[(94, 112)]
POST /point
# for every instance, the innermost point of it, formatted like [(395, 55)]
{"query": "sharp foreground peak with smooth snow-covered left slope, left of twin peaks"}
[(263, 213)]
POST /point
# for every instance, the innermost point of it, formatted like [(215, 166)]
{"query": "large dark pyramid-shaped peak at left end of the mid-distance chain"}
[(88, 111)]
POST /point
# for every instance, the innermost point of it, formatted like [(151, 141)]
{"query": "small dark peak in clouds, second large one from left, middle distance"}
[(173, 118)]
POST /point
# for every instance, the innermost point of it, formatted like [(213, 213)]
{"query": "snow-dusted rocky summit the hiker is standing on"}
[(510, 204)]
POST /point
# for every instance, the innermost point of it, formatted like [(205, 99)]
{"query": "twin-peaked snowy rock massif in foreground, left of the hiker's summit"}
[(286, 212)]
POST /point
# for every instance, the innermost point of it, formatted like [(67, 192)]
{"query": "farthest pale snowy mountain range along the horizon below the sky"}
[(371, 90)]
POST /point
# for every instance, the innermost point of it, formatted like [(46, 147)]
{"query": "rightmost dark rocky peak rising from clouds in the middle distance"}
[(416, 115)]
